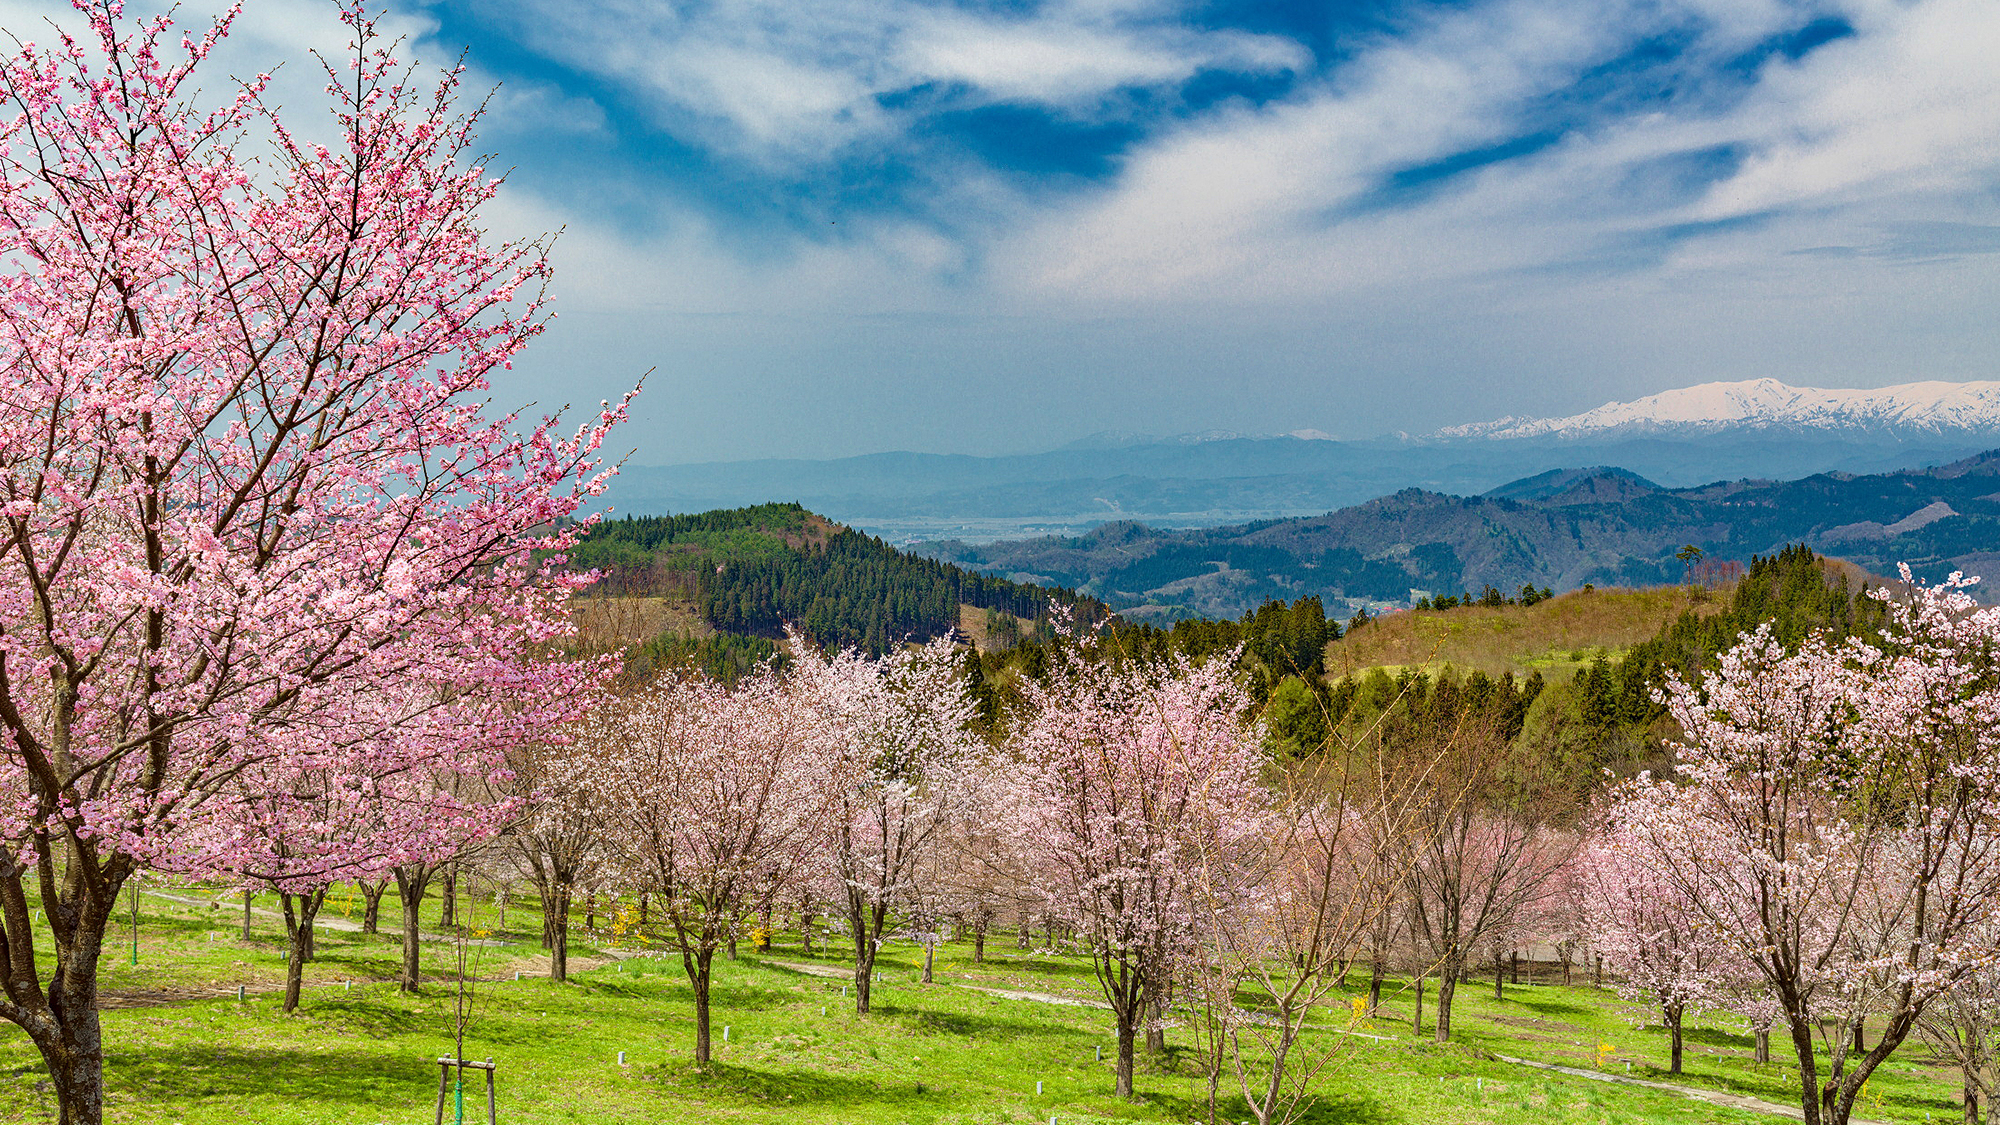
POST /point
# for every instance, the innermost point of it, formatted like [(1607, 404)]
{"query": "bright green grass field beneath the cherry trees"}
[(183, 1050)]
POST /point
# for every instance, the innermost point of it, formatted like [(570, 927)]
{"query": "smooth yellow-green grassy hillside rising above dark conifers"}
[(1553, 638)]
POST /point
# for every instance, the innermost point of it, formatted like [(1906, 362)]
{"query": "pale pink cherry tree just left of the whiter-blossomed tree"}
[(715, 802)]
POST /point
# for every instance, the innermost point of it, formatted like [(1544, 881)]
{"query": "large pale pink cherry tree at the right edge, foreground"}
[(1837, 820)]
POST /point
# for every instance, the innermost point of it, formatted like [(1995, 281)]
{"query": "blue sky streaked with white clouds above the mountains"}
[(843, 227)]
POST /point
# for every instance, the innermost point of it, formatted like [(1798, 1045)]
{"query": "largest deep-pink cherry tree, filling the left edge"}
[(253, 511)]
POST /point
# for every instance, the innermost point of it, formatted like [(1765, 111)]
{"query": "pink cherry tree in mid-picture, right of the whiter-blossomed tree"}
[(1131, 782)]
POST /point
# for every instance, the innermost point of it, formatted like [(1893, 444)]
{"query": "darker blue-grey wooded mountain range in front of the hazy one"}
[(1557, 529)]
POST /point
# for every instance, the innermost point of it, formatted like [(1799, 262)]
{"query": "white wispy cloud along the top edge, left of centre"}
[(783, 81)]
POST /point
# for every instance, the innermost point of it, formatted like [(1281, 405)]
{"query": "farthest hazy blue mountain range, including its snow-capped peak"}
[(1759, 429)]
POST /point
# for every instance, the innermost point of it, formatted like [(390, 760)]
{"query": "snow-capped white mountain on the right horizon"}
[(1765, 405)]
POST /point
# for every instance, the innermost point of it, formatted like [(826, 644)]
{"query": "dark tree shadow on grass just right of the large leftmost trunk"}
[(325, 1078)]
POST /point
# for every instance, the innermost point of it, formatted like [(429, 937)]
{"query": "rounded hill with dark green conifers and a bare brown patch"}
[(753, 572)]
